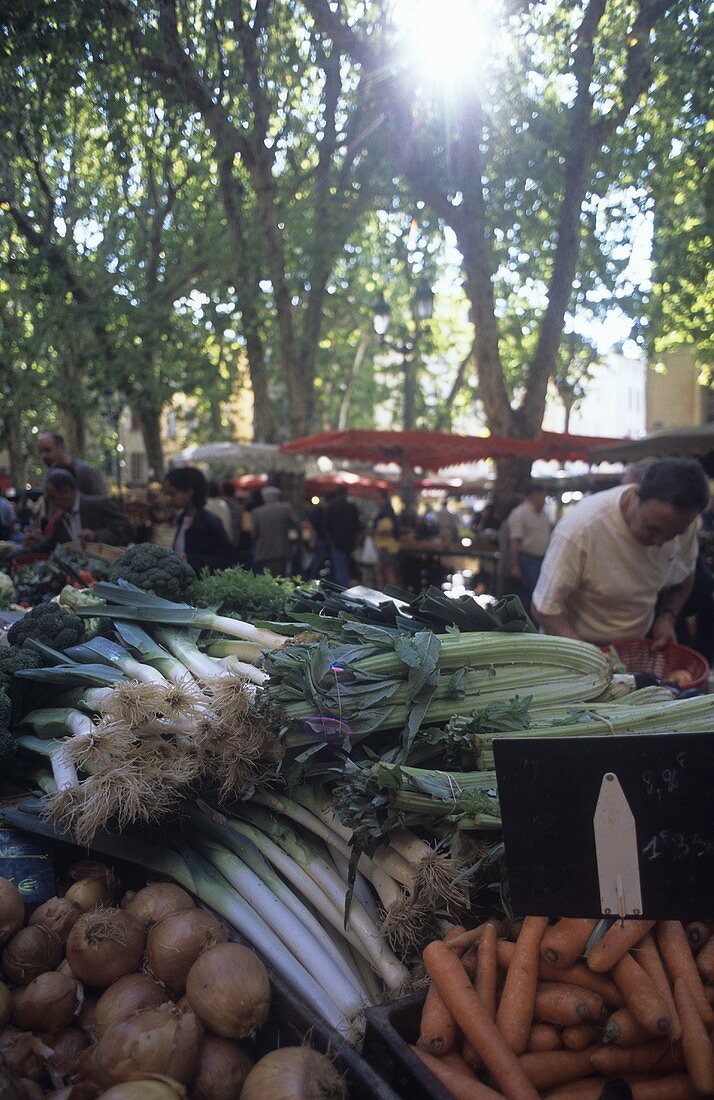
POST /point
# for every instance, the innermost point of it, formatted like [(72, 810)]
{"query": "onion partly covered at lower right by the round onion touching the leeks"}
[(177, 942)]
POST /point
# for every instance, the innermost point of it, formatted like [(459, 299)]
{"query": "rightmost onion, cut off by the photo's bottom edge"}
[(294, 1073)]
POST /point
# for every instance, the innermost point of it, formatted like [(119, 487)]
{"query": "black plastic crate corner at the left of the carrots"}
[(391, 1028)]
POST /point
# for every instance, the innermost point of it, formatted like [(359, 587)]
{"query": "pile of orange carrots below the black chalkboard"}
[(528, 1018)]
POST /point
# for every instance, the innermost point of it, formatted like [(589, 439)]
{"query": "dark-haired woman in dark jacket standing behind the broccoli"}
[(201, 537)]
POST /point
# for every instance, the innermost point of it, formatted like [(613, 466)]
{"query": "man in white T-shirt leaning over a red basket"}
[(616, 553)]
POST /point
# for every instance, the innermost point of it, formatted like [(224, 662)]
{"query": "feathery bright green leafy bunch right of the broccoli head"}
[(243, 595)]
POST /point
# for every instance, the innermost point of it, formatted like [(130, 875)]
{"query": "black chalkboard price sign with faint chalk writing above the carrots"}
[(548, 791)]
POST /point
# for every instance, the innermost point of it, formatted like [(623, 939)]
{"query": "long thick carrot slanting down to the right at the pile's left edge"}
[(448, 975)]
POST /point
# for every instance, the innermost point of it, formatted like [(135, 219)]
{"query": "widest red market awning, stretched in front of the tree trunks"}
[(434, 450)]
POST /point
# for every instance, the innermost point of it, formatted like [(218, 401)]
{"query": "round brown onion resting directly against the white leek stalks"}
[(229, 991)]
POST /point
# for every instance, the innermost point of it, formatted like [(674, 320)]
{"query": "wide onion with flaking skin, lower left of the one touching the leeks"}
[(156, 1041)]
